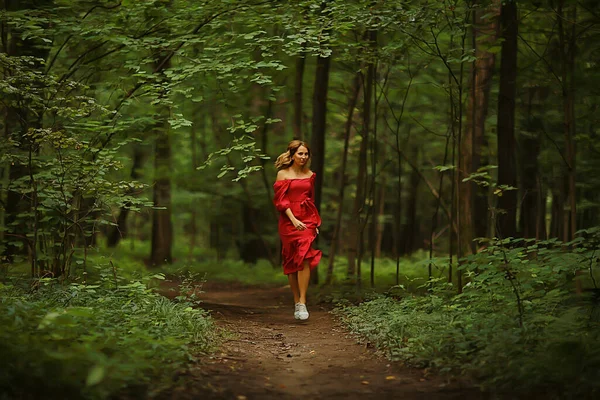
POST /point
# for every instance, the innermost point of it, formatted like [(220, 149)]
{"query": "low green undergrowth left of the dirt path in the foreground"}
[(95, 341)]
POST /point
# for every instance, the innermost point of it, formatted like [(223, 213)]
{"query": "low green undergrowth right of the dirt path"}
[(517, 325)]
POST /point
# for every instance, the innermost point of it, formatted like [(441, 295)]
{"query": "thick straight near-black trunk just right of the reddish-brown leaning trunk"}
[(507, 203)]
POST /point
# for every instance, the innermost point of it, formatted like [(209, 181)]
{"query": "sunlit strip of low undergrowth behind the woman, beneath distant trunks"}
[(130, 256)]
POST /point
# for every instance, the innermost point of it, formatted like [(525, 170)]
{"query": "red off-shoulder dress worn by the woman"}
[(298, 195)]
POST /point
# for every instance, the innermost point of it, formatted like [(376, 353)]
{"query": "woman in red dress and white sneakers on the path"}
[(298, 220)]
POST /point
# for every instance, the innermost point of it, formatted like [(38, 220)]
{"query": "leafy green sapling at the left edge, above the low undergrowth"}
[(64, 178)]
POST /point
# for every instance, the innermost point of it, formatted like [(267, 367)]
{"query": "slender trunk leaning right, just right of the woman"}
[(342, 185)]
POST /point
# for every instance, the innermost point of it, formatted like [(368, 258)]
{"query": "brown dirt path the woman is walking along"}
[(270, 355)]
